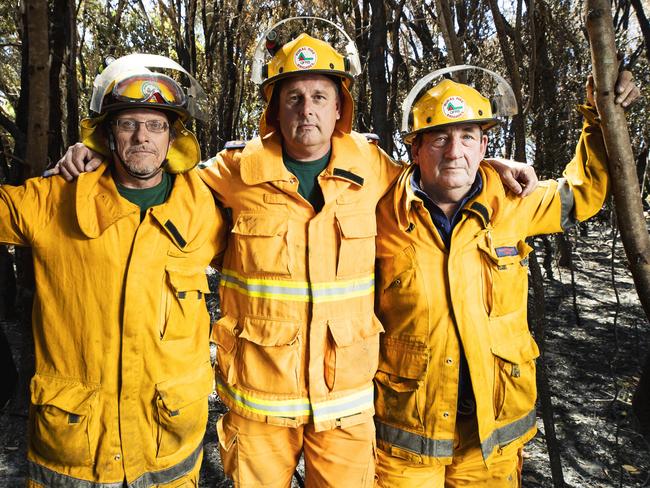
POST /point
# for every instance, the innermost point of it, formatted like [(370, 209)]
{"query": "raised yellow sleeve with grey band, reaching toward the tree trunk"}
[(560, 204)]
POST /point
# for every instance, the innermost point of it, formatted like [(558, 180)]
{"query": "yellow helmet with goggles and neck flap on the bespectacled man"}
[(128, 83)]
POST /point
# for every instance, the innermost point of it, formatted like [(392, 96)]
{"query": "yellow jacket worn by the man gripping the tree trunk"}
[(429, 297)]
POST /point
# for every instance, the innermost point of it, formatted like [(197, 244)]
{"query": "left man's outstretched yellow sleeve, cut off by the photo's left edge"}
[(23, 210)]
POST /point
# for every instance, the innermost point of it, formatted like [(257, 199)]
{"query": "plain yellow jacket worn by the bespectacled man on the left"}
[(120, 328)]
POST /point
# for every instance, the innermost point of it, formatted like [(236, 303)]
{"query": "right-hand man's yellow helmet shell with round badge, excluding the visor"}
[(450, 103)]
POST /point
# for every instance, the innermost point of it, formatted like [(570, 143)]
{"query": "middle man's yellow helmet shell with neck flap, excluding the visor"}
[(306, 55)]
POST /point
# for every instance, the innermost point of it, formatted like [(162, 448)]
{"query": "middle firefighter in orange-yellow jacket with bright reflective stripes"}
[(298, 340)]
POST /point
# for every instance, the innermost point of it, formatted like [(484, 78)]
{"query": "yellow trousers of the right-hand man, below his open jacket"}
[(467, 468)]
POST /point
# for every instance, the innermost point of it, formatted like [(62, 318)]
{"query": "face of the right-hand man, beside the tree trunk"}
[(449, 158)]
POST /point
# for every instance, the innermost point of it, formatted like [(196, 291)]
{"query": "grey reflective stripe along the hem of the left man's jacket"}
[(52, 479)]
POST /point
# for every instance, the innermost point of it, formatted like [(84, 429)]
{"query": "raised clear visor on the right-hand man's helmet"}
[(502, 98)]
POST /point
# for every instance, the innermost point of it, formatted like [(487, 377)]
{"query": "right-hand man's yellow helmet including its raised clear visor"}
[(451, 103)]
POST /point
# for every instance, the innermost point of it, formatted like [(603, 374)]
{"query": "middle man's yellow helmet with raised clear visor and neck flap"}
[(305, 55)]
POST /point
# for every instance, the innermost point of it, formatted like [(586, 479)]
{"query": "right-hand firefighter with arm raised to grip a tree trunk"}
[(455, 386)]
